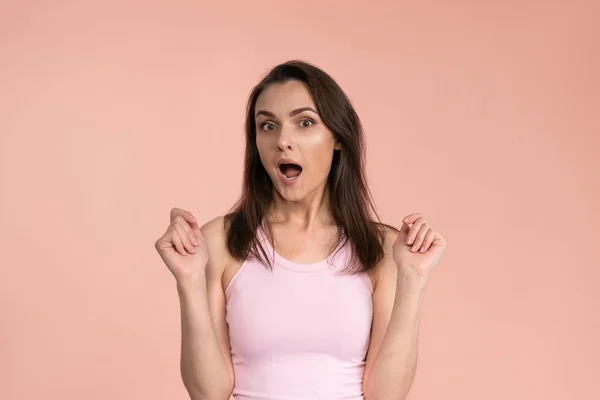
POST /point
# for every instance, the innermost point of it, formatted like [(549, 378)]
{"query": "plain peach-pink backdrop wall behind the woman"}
[(484, 116)]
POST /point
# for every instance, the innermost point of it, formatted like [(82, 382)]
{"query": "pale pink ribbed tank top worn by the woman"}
[(300, 331)]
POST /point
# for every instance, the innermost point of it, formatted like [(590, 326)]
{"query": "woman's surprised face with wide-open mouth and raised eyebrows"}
[(295, 146)]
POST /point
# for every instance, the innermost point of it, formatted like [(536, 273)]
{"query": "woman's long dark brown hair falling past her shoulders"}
[(351, 202)]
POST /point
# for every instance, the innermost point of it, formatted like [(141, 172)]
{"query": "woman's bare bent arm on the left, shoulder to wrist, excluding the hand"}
[(206, 367)]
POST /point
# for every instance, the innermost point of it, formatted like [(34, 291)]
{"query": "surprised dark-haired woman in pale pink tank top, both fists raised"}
[(299, 292)]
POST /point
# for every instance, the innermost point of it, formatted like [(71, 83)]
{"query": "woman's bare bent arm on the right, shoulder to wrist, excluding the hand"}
[(392, 356)]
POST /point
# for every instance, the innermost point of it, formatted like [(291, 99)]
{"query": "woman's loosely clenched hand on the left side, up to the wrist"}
[(182, 247)]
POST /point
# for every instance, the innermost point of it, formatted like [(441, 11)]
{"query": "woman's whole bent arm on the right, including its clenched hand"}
[(397, 300)]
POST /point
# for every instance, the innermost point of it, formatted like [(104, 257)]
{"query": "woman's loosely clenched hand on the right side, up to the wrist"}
[(418, 248)]
